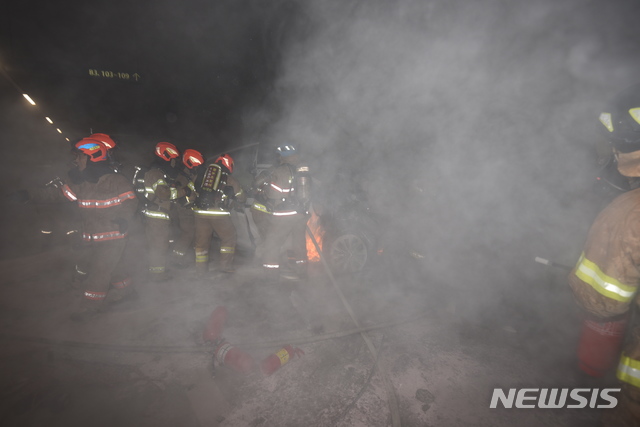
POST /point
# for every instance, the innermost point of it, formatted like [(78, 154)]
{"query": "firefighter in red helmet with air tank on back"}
[(218, 193)]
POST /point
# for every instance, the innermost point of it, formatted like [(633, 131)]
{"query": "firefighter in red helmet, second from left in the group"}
[(163, 187)]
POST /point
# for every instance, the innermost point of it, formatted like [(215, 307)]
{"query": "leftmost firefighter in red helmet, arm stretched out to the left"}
[(107, 204)]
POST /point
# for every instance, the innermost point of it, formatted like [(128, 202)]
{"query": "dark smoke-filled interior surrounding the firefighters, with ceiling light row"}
[(457, 164)]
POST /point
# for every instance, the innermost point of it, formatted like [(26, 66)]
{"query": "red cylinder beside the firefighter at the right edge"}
[(599, 348)]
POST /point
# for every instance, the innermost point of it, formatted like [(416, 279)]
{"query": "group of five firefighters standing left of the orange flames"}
[(177, 191)]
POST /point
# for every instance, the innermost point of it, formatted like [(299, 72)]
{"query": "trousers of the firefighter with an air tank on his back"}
[(205, 226)]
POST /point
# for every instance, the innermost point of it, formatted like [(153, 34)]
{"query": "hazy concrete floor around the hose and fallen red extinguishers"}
[(146, 364)]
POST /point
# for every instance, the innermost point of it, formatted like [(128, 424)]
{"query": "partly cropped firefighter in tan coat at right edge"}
[(606, 278)]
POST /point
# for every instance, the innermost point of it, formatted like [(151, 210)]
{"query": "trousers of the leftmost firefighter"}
[(105, 268)]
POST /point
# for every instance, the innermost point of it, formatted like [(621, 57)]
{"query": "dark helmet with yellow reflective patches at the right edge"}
[(621, 120)]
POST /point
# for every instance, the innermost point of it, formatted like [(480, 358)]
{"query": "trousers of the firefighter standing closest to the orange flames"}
[(280, 228)]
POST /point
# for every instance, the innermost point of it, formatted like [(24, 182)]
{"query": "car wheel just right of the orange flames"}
[(347, 253)]
